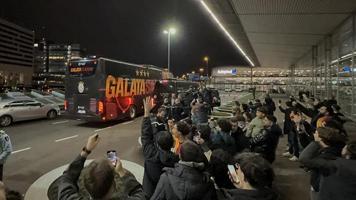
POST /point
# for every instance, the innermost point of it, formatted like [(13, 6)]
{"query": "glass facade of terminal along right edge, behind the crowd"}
[(332, 62)]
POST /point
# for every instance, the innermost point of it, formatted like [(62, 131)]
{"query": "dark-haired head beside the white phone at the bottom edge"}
[(253, 170)]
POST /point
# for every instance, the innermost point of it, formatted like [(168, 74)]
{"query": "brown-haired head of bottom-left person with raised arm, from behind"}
[(99, 178)]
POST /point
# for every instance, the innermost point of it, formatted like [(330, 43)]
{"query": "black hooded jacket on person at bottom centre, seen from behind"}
[(186, 181)]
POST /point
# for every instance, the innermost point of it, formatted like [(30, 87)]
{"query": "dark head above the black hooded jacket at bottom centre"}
[(191, 152)]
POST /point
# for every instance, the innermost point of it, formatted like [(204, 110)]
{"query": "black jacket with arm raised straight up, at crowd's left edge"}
[(155, 158)]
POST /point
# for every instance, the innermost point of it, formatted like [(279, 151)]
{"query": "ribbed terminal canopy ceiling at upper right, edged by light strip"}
[(276, 33)]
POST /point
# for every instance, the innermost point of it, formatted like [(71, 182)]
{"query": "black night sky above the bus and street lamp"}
[(129, 30)]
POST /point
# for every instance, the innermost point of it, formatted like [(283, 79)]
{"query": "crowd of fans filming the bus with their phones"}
[(188, 155)]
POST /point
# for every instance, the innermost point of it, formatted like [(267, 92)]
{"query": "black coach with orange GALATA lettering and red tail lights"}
[(103, 89)]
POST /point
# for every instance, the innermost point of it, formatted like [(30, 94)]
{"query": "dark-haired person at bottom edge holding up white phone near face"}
[(252, 177)]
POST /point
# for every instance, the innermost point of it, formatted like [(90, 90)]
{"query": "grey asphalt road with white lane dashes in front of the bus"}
[(42, 145)]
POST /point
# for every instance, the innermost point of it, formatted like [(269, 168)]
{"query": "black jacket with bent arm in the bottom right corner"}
[(338, 180)]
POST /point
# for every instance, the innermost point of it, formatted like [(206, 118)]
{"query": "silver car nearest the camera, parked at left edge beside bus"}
[(20, 110)]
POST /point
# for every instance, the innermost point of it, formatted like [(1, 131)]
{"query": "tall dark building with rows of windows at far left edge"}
[(16, 54)]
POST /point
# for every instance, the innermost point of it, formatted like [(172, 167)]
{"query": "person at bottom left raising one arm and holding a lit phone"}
[(100, 179)]
